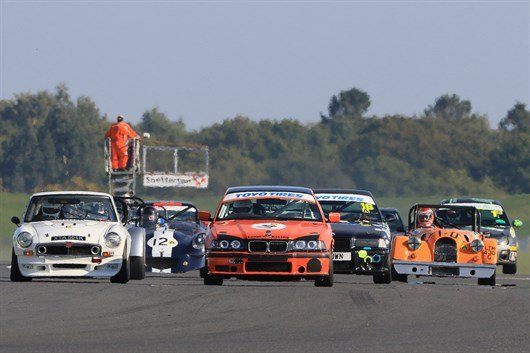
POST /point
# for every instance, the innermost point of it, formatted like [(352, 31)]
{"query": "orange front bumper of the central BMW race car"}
[(245, 265)]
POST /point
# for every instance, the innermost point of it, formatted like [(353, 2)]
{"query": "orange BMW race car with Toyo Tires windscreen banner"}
[(268, 233)]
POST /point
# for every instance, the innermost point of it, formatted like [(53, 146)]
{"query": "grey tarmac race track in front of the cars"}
[(177, 313)]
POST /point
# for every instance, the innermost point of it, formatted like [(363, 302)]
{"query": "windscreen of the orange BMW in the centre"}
[(270, 208)]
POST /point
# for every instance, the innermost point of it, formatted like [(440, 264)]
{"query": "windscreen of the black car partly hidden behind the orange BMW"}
[(352, 211)]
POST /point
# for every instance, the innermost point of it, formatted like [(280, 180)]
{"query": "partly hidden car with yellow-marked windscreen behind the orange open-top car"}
[(495, 223)]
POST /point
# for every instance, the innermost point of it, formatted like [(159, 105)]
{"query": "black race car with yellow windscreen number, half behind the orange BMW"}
[(361, 235)]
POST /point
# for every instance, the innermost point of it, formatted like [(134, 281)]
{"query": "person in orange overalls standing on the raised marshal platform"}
[(120, 133)]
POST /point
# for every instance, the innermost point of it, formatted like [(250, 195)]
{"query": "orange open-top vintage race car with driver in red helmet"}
[(444, 240)]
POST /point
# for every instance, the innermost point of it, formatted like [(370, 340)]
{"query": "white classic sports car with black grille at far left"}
[(75, 234)]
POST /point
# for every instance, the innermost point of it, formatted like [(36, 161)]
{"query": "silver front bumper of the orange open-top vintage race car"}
[(444, 269)]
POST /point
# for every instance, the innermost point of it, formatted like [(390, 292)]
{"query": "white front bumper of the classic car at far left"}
[(68, 266)]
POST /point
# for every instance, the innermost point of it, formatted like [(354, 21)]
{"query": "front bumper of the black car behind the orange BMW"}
[(363, 261)]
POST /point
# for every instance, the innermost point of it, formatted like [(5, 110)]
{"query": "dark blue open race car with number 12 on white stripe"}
[(174, 236)]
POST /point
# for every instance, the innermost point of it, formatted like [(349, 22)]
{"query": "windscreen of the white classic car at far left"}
[(75, 207)]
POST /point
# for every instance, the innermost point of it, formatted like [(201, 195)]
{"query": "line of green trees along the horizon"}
[(48, 140)]
